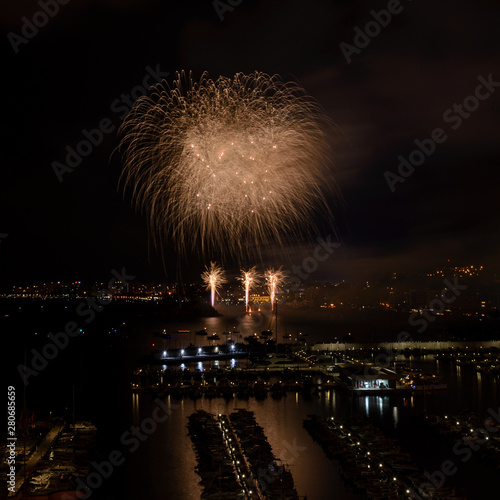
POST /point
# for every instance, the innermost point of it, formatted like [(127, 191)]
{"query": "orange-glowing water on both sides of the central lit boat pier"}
[(314, 474)]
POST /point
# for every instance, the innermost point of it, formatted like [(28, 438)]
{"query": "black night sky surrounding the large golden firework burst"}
[(398, 88)]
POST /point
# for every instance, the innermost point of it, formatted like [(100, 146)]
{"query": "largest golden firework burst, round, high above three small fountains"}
[(227, 165)]
